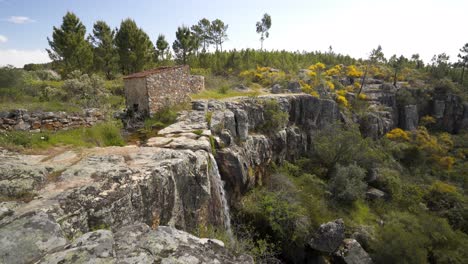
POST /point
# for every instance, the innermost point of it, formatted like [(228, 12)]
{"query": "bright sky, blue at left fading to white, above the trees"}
[(351, 27)]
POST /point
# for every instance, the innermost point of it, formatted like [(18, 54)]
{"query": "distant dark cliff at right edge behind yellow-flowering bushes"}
[(393, 107)]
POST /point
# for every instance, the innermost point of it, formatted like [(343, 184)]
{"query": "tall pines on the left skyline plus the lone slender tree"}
[(128, 49)]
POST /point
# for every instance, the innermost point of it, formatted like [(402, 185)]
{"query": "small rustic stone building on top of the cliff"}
[(149, 91)]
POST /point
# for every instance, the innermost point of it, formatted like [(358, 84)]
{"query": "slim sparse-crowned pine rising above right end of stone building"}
[(184, 44)]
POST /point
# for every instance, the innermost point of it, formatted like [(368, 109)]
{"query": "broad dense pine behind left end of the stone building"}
[(136, 51)]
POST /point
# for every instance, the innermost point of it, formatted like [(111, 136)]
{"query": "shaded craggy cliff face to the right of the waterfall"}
[(244, 153)]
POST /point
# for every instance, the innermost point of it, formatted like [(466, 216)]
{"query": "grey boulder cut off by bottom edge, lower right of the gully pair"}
[(351, 252)]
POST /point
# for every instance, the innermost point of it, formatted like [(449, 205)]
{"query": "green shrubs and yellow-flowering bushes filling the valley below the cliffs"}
[(422, 218)]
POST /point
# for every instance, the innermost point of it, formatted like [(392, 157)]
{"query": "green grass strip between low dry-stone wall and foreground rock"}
[(101, 135)]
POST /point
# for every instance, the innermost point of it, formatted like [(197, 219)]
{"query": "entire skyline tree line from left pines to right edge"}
[(128, 49)]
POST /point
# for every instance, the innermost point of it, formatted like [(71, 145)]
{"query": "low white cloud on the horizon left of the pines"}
[(18, 58)]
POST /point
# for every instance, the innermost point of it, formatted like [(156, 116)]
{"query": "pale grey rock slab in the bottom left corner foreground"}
[(29, 238)]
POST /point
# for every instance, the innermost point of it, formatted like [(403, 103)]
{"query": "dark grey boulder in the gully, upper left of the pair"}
[(328, 237)]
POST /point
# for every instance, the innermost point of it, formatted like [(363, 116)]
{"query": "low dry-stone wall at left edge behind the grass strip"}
[(22, 120)]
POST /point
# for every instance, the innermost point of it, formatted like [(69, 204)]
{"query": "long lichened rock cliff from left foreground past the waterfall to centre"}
[(174, 180)]
